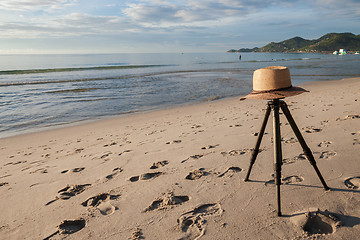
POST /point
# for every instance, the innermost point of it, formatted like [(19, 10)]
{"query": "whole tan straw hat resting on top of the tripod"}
[(273, 83)]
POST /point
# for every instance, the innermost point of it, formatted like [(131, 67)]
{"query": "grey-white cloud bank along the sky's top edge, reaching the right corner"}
[(197, 11)]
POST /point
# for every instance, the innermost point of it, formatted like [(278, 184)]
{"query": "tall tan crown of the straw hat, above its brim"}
[(271, 78)]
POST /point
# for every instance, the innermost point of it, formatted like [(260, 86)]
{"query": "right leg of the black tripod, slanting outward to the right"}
[(304, 146)]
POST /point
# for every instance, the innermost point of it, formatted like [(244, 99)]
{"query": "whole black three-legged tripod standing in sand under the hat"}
[(275, 105)]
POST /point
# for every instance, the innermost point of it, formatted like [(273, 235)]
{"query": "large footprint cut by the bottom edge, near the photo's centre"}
[(193, 223)]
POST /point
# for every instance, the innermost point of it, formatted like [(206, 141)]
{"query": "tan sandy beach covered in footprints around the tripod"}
[(179, 174)]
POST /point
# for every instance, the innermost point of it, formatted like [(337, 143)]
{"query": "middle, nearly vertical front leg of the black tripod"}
[(277, 152)]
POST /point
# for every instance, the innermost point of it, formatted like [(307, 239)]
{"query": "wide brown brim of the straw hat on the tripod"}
[(275, 94)]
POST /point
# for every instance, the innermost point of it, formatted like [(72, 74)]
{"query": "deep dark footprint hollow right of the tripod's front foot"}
[(316, 223)]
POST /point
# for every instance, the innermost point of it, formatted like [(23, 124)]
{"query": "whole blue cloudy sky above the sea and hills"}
[(156, 26)]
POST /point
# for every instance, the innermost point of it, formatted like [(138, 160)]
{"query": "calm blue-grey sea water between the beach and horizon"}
[(45, 91)]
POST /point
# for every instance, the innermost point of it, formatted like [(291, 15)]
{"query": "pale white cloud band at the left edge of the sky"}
[(74, 24)]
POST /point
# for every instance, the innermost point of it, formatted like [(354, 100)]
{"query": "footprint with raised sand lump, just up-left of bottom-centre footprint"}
[(168, 200)]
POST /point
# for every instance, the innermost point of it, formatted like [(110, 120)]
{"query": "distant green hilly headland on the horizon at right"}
[(326, 44)]
